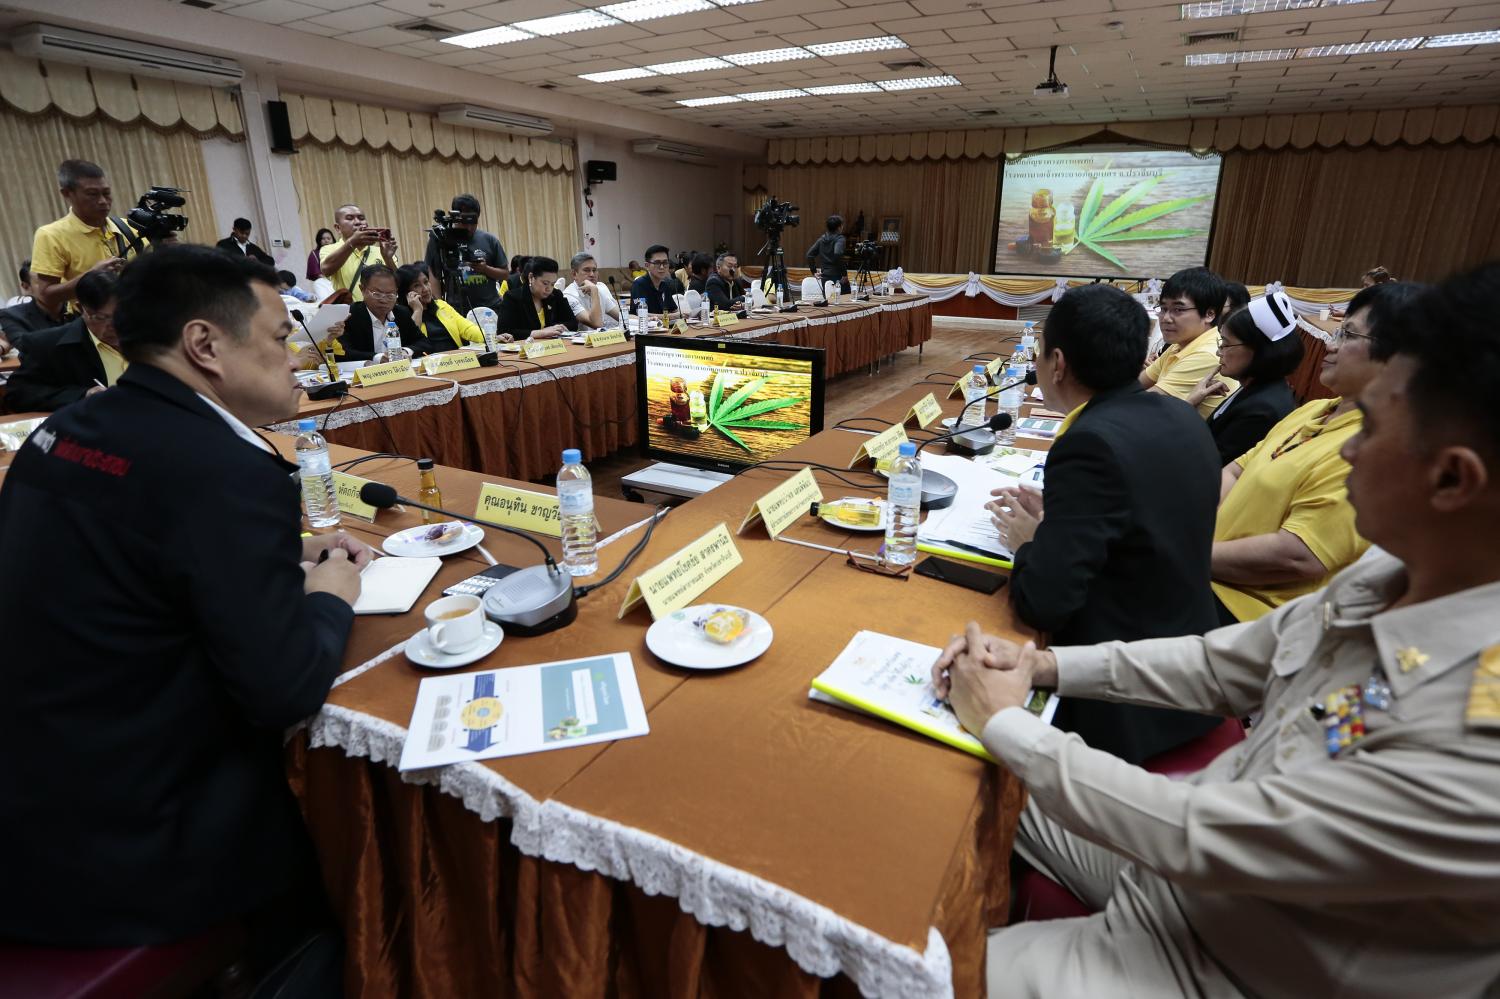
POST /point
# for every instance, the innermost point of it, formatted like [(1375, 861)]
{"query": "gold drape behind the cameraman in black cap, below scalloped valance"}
[(532, 211)]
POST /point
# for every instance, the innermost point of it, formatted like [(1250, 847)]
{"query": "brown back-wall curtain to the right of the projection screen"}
[(1322, 218)]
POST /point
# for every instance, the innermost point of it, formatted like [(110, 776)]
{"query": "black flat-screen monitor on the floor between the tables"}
[(727, 404)]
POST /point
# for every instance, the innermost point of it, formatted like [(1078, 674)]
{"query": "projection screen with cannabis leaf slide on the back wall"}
[(1100, 214)]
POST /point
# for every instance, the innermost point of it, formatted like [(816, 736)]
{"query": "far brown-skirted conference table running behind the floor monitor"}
[(517, 418)]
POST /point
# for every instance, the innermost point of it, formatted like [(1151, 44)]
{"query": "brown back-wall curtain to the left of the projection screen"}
[(947, 208)]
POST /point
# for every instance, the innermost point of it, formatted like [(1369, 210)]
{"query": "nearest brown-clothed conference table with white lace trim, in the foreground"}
[(754, 844)]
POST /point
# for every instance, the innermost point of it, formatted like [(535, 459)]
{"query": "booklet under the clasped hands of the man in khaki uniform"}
[(892, 679)]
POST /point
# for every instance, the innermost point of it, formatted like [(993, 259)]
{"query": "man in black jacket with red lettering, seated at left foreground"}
[(166, 623)]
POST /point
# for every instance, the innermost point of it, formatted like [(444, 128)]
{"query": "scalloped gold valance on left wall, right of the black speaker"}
[(349, 124)]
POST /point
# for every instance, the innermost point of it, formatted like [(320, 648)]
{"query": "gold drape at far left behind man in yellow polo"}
[(134, 157)]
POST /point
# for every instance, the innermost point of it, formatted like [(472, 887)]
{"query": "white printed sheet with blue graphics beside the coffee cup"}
[(463, 718)]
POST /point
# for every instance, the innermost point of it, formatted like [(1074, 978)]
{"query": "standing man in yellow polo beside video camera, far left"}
[(85, 239)]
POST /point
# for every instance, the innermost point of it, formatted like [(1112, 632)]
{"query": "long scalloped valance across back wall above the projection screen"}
[(1414, 127)]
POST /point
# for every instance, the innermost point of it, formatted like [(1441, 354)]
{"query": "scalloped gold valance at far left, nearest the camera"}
[(79, 92)]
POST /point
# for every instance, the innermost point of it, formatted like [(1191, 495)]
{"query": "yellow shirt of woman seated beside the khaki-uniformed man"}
[(1294, 481)]
